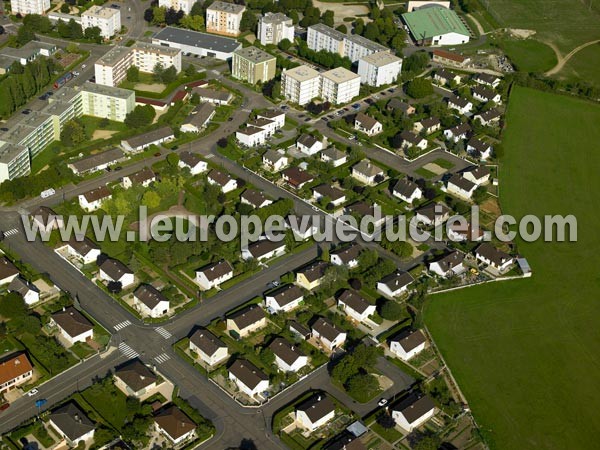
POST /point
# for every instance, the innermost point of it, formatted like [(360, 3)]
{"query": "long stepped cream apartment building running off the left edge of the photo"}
[(28, 136)]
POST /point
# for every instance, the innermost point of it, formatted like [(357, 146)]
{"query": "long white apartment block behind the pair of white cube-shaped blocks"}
[(321, 37)]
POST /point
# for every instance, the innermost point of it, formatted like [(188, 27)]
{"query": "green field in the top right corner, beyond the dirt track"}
[(566, 23)]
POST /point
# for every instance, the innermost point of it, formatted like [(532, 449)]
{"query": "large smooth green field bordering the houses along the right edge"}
[(525, 352)]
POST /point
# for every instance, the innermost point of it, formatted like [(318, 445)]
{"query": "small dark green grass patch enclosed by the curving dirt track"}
[(529, 55)]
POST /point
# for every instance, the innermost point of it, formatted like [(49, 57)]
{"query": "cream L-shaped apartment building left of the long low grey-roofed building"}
[(111, 69)]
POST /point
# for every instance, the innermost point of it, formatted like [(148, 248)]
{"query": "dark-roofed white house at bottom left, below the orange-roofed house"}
[(71, 423)]
